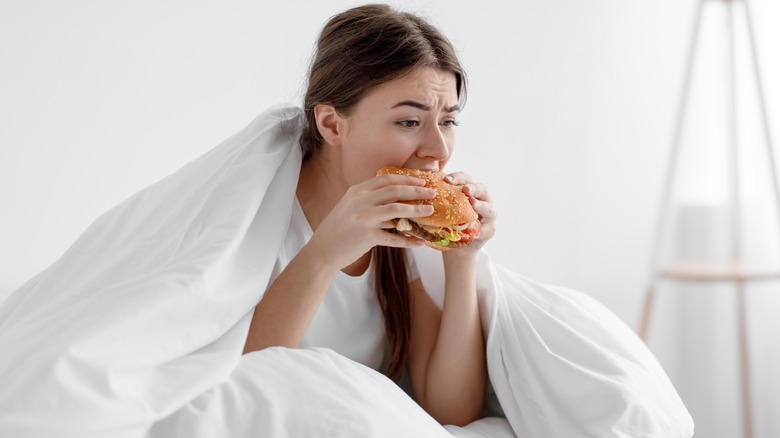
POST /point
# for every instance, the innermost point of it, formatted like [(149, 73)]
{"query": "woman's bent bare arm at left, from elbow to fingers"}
[(350, 230)]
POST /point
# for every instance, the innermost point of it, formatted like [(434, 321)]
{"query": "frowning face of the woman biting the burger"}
[(407, 122)]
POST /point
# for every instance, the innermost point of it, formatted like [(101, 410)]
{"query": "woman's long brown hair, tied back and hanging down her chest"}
[(358, 50)]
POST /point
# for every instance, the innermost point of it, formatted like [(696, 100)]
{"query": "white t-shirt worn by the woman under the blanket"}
[(349, 320)]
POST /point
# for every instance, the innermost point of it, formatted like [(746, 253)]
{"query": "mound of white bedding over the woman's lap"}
[(315, 392)]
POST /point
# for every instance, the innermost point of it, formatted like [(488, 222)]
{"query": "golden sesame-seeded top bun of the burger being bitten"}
[(450, 206)]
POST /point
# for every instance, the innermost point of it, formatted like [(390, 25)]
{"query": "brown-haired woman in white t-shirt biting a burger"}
[(385, 89)]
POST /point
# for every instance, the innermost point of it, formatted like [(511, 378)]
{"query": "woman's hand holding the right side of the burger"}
[(482, 202)]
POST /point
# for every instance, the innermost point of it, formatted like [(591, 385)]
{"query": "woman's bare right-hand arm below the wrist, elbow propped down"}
[(447, 353)]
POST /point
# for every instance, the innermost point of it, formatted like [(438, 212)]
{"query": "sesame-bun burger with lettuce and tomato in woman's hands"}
[(453, 224)]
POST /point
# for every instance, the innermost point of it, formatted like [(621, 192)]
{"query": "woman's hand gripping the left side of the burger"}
[(358, 221)]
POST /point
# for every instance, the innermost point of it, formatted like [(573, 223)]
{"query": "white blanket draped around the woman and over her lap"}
[(138, 330)]
